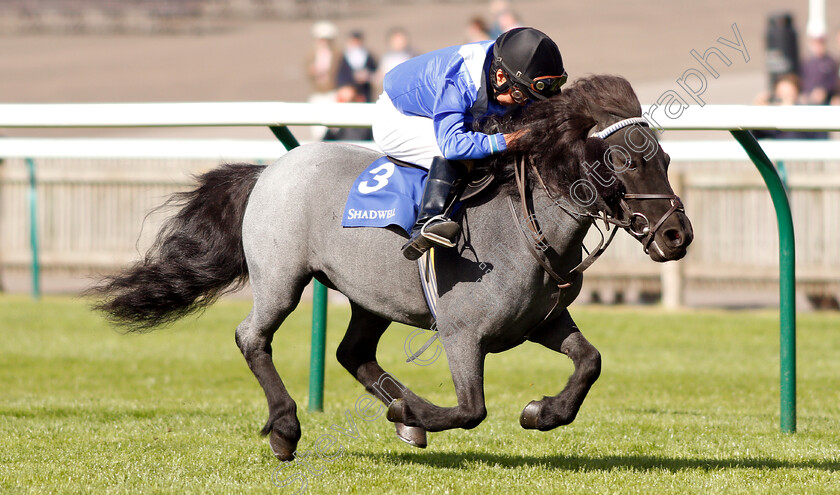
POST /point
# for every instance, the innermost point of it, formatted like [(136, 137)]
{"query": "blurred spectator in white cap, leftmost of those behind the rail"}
[(322, 68)]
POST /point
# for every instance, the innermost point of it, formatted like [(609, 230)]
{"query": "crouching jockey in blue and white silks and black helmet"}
[(425, 114)]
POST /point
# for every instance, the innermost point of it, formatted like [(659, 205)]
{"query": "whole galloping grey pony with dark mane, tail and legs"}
[(279, 226)]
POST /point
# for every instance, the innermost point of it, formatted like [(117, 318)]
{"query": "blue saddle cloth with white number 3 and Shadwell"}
[(385, 194)]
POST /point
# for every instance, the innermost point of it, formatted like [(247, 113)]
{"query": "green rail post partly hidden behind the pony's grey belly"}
[(318, 347)]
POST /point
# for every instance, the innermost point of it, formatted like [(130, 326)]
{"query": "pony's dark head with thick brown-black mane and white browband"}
[(593, 148)]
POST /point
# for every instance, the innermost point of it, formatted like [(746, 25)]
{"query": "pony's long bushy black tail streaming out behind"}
[(196, 257)]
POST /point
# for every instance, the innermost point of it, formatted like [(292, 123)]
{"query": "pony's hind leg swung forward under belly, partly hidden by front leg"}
[(357, 353)]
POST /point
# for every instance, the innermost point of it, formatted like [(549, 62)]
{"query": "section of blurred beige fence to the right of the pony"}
[(734, 257)]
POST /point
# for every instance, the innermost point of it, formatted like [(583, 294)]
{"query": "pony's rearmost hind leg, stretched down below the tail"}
[(254, 336)]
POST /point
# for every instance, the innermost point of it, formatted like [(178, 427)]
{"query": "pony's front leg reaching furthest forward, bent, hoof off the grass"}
[(562, 335)]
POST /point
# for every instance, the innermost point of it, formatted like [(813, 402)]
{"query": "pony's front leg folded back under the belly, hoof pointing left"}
[(466, 364)]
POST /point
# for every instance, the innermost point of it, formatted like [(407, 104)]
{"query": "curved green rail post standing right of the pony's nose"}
[(787, 278)]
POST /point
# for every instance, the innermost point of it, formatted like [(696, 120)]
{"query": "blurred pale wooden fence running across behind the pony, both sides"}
[(93, 216)]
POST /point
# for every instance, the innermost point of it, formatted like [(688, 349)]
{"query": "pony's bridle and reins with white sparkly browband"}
[(538, 245)]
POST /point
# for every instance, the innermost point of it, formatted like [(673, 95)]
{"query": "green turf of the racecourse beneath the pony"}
[(687, 403)]
